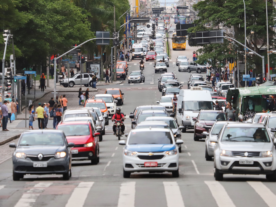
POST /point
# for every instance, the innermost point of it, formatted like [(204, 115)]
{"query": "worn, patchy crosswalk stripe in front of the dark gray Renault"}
[(29, 198)]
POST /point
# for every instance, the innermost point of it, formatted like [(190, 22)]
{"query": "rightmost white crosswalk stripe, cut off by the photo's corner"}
[(264, 192)]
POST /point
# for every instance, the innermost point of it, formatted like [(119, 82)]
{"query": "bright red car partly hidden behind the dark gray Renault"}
[(85, 138)]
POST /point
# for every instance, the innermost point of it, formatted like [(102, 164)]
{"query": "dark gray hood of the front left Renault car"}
[(45, 150)]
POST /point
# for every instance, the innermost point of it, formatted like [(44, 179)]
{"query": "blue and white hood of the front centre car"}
[(151, 147)]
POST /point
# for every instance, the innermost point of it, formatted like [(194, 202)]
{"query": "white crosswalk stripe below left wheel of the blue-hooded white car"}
[(127, 195)]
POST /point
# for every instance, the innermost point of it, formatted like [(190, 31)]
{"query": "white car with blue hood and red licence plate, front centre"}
[(150, 150)]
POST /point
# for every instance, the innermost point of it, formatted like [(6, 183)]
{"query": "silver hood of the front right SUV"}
[(245, 146)]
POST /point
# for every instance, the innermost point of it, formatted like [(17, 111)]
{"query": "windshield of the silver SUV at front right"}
[(245, 134)]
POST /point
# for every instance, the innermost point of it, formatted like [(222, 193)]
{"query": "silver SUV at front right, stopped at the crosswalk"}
[(245, 149)]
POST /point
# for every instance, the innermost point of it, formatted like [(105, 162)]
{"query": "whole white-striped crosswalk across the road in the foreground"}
[(129, 194)]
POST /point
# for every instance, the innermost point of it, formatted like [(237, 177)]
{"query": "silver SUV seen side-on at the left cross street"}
[(79, 79)]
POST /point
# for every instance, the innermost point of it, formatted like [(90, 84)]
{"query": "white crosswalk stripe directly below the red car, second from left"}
[(79, 194)]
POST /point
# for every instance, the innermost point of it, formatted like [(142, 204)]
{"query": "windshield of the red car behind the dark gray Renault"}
[(75, 129)]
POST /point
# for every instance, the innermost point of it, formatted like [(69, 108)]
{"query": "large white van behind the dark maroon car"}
[(190, 102)]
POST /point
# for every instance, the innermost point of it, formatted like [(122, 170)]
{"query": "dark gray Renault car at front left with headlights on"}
[(42, 152)]
